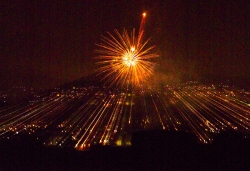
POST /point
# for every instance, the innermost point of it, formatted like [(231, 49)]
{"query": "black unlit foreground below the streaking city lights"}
[(154, 150)]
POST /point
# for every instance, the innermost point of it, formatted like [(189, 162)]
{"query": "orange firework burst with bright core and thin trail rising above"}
[(125, 59)]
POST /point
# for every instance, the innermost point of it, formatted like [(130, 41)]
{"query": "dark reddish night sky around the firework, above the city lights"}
[(48, 43)]
